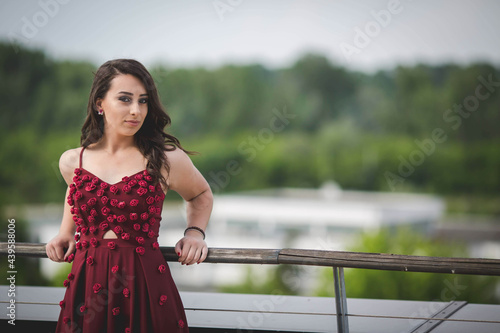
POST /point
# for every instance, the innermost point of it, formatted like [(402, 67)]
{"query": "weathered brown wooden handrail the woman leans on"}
[(379, 261)]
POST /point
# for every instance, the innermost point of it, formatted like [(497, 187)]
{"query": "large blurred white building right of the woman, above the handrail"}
[(311, 215)]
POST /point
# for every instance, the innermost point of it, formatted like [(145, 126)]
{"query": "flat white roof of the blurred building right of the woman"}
[(328, 205)]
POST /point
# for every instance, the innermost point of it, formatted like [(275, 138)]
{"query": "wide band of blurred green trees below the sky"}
[(351, 127)]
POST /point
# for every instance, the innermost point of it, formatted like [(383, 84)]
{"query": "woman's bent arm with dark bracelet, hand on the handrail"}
[(186, 180)]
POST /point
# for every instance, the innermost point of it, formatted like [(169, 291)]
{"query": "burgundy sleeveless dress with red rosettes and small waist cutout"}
[(123, 284)]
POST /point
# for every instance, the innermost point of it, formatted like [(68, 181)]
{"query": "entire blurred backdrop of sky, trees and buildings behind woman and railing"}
[(369, 126)]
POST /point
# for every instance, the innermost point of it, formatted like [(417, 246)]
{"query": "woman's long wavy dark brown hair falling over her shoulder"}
[(151, 139)]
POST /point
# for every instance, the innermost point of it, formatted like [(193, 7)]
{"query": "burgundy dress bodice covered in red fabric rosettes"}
[(130, 208)]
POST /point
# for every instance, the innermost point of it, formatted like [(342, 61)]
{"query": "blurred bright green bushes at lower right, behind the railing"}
[(408, 285)]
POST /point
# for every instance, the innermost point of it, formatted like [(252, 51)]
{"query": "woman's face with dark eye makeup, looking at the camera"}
[(125, 105)]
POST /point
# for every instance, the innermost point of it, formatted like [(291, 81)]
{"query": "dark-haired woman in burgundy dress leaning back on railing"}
[(117, 180)]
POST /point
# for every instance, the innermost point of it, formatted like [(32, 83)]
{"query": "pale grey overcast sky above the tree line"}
[(363, 35)]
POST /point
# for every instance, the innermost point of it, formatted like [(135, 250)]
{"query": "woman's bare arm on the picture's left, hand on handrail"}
[(63, 244)]
